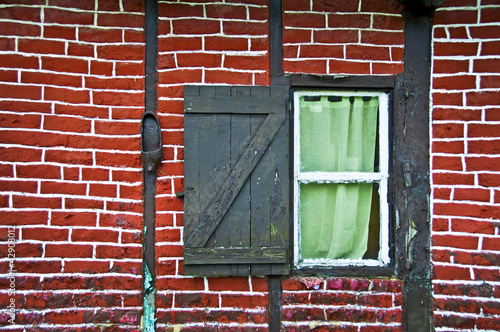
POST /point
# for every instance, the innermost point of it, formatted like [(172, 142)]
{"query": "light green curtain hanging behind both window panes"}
[(337, 134)]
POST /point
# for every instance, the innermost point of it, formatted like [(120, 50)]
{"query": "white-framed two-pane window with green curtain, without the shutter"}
[(341, 171)]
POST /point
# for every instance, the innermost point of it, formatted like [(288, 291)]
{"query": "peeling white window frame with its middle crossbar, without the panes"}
[(380, 177)]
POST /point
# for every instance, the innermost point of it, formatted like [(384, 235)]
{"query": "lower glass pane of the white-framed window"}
[(335, 220)]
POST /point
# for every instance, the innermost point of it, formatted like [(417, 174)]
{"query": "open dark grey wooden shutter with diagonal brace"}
[(236, 162)]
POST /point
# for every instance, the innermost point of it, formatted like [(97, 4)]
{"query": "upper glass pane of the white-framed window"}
[(338, 134)]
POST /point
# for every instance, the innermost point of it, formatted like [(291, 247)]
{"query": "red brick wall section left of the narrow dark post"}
[(71, 96)]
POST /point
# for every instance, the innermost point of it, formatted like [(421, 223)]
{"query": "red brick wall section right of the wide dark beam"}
[(465, 165)]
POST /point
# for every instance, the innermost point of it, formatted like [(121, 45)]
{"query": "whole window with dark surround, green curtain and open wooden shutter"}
[(264, 195)]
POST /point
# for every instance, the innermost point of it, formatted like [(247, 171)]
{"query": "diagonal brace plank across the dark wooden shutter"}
[(235, 181)]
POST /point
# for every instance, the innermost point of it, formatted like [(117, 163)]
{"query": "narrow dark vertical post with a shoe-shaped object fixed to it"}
[(151, 156)]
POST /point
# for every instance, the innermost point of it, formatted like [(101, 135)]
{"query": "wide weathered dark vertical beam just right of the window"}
[(411, 168)]
